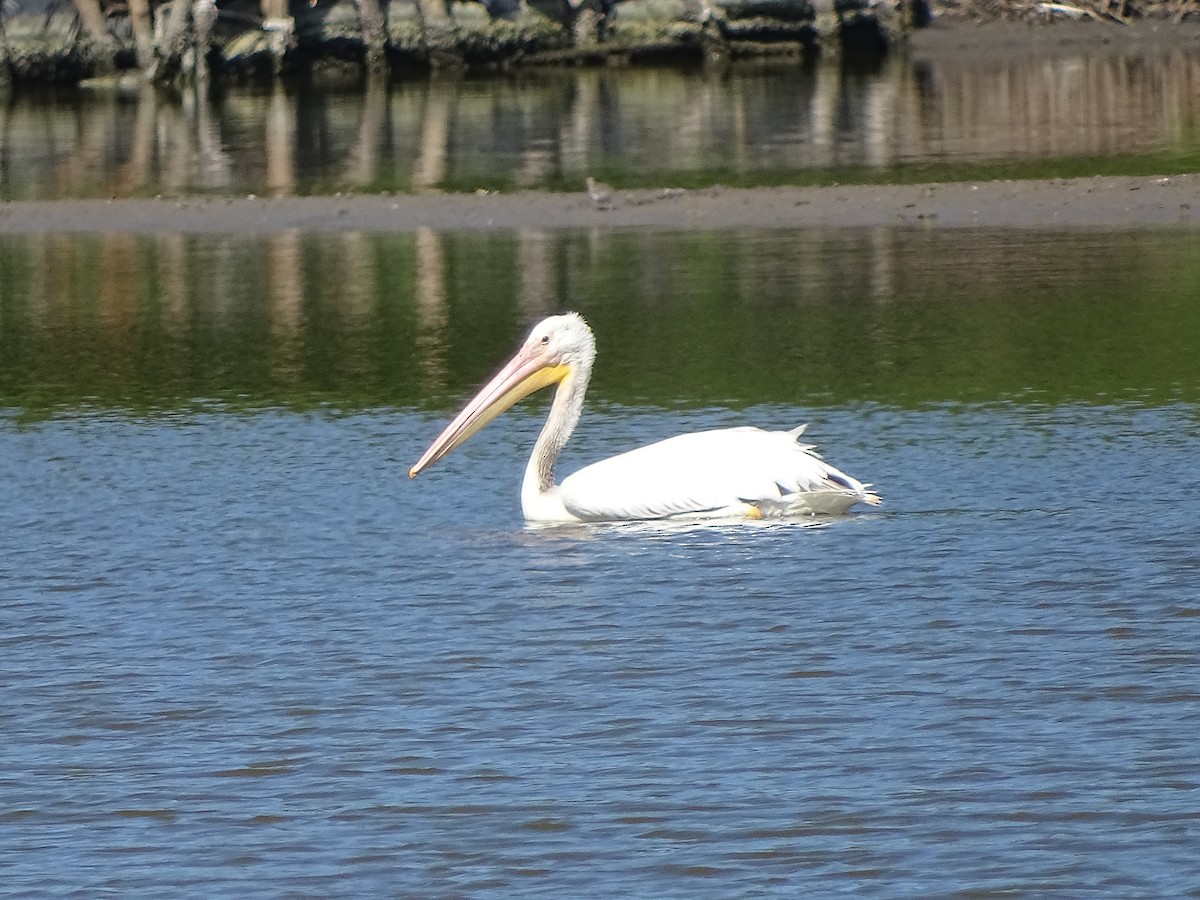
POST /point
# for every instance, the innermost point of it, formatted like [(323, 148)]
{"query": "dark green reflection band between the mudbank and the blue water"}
[(892, 316)]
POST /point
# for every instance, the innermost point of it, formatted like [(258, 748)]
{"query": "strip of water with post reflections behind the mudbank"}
[(933, 118)]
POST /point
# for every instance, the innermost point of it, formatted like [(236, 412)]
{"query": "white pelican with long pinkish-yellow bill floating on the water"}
[(728, 473)]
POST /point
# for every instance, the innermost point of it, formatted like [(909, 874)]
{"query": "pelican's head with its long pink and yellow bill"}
[(556, 350)]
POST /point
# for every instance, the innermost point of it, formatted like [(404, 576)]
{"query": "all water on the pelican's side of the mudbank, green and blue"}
[(242, 653)]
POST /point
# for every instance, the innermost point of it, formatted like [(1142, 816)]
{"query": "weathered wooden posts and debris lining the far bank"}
[(179, 40)]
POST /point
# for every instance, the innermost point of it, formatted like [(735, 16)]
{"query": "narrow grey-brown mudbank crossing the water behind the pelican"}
[(1102, 202)]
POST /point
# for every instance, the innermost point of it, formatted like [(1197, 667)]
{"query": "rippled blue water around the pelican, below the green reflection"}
[(242, 655)]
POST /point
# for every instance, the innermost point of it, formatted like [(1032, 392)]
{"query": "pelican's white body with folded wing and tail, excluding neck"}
[(730, 472)]
